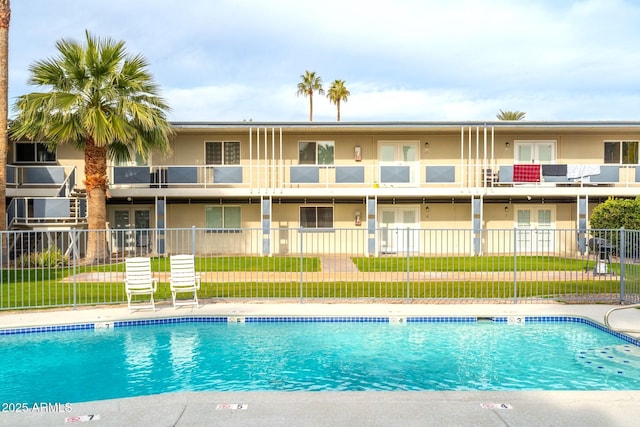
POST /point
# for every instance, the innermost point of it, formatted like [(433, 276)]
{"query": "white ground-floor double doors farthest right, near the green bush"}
[(535, 229)]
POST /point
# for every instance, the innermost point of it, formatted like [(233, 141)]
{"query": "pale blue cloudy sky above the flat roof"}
[(406, 60)]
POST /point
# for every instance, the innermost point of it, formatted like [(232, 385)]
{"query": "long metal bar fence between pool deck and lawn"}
[(52, 268)]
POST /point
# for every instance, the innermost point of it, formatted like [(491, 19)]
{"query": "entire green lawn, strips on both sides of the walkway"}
[(45, 287)]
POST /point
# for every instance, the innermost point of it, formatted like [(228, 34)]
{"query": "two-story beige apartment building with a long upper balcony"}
[(381, 177)]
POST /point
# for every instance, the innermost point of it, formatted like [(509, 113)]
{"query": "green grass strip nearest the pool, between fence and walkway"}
[(55, 293)]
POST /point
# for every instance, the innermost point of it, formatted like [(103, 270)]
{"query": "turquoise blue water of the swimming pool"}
[(191, 355)]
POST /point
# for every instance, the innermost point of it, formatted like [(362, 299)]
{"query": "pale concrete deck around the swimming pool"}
[(448, 408)]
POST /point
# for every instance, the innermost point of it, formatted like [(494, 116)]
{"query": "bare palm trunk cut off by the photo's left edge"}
[(5, 18)]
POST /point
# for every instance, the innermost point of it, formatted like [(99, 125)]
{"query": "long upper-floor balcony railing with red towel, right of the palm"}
[(412, 175)]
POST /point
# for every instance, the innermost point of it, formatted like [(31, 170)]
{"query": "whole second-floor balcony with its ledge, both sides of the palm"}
[(422, 178)]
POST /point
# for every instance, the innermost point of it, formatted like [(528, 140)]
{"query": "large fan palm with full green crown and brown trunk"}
[(104, 102)]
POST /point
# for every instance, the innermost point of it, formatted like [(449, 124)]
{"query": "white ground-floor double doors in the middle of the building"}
[(400, 229)]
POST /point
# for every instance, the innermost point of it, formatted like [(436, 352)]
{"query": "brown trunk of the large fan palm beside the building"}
[(95, 169)]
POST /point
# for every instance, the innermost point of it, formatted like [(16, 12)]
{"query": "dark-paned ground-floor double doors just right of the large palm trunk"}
[(130, 230)]
